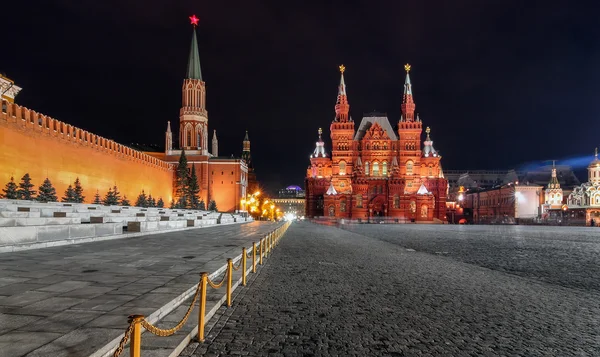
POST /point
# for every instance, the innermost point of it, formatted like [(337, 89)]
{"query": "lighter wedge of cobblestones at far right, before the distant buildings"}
[(566, 256)]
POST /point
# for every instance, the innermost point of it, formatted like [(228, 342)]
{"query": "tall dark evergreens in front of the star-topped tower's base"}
[(187, 188)]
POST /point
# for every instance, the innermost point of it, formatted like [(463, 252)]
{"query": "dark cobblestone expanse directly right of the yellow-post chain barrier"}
[(330, 292)]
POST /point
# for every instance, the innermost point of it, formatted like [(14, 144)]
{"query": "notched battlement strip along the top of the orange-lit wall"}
[(28, 120)]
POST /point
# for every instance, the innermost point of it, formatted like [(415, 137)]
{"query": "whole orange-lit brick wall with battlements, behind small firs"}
[(44, 147)]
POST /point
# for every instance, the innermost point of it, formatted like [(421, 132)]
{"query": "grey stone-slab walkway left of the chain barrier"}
[(72, 300)]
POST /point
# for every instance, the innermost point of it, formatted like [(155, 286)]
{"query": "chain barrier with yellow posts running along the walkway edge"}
[(136, 322)]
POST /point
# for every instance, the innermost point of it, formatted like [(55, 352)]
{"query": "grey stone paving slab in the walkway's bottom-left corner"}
[(19, 343)]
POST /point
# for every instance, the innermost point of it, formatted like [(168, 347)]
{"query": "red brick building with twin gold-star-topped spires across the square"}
[(375, 171)]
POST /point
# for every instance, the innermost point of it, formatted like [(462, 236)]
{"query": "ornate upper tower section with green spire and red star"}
[(193, 117)]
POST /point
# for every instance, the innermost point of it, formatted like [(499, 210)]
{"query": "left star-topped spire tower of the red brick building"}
[(342, 135)]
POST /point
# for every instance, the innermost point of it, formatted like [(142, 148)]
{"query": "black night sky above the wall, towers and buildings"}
[(500, 83)]
